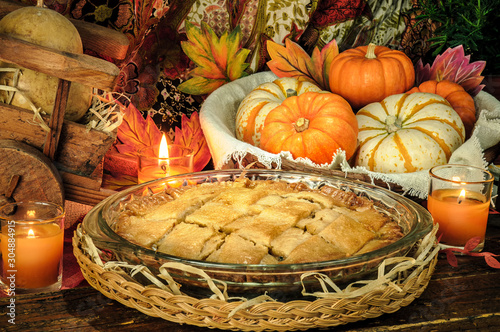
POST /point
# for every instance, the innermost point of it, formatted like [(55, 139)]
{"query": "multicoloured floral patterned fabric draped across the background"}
[(156, 64)]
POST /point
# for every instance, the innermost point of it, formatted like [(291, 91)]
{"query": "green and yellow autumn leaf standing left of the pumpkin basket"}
[(218, 60)]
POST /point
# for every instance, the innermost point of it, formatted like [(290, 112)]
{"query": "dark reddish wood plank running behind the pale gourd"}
[(104, 41)]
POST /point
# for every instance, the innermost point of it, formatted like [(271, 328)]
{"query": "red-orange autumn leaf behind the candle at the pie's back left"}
[(136, 132)]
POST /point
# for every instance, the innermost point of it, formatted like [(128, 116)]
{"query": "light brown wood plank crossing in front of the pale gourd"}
[(81, 68)]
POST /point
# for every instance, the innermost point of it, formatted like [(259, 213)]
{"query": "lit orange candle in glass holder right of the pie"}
[(459, 200)]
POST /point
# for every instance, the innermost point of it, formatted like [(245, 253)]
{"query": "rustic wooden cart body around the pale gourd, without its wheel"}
[(75, 151)]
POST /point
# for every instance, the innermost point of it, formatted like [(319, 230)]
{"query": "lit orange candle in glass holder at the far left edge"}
[(31, 246)]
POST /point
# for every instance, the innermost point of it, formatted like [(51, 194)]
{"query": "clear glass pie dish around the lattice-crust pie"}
[(255, 279)]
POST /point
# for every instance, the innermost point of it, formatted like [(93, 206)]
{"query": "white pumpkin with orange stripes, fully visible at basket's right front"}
[(407, 133)]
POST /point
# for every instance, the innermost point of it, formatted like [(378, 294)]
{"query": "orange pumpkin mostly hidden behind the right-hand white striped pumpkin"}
[(460, 100)]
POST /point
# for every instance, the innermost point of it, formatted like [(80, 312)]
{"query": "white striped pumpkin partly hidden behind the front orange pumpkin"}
[(254, 108)]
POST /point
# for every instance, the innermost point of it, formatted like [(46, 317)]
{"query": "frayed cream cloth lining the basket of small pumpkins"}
[(218, 117)]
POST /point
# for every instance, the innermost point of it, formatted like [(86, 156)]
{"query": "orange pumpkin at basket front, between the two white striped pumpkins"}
[(312, 125)]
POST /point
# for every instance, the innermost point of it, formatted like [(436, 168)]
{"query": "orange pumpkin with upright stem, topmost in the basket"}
[(368, 74)]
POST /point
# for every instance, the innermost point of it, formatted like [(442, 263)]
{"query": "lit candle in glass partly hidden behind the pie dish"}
[(152, 166)]
